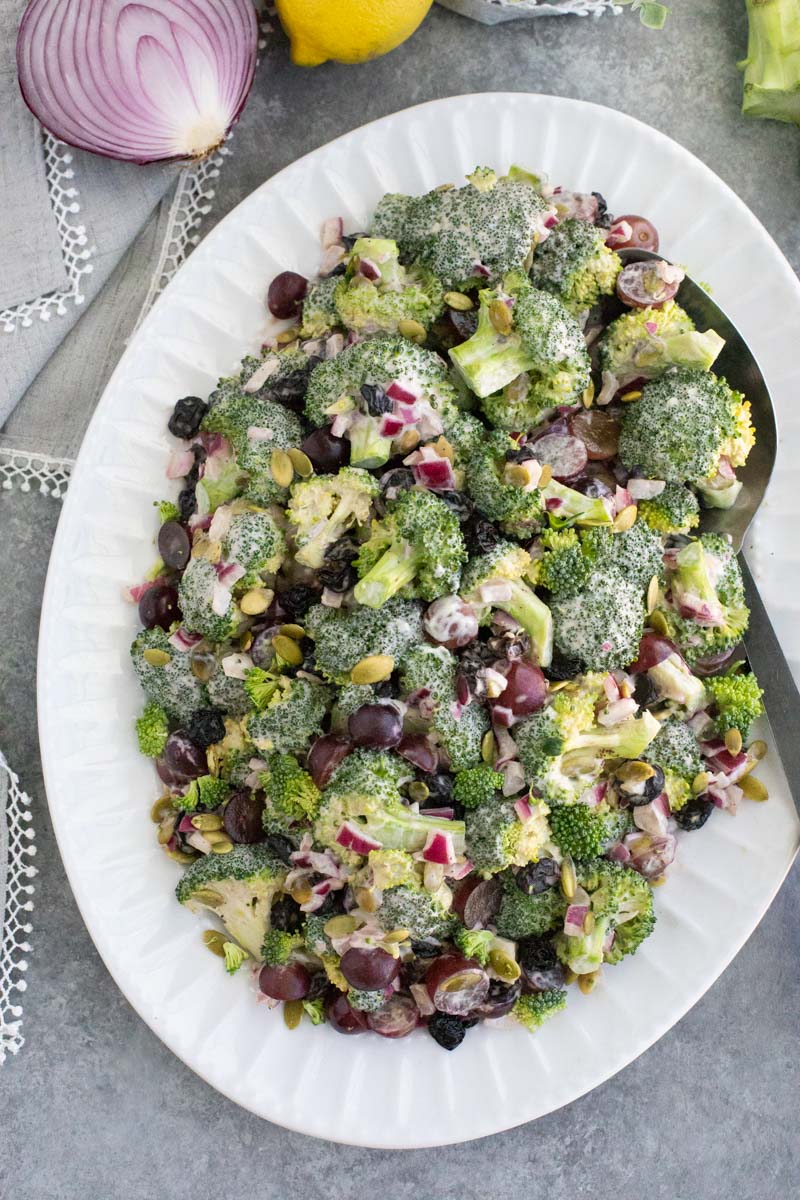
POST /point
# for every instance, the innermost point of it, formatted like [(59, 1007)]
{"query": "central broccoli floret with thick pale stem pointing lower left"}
[(418, 548)]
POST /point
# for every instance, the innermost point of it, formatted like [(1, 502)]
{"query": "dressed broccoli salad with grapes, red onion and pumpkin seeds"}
[(438, 665)]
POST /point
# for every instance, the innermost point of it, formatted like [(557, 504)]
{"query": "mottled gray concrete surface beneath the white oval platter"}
[(95, 1108)]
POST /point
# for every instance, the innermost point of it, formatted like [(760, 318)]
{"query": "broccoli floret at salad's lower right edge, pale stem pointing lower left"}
[(622, 903)]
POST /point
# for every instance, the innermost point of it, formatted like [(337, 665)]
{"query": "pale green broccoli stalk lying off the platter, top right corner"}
[(773, 64)]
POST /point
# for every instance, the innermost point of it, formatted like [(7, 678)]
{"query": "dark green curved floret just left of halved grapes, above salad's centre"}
[(518, 511)]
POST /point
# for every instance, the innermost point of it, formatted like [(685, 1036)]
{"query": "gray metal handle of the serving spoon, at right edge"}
[(781, 695)]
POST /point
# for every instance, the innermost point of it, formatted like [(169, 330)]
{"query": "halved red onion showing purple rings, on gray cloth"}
[(142, 81)]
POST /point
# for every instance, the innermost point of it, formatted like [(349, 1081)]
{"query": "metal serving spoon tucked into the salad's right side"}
[(738, 365)]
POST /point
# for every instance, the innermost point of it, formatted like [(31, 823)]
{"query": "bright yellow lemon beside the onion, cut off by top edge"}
[(348, 31)]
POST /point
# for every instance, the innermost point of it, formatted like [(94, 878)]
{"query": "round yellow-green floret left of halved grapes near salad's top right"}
[(576, 265)]
